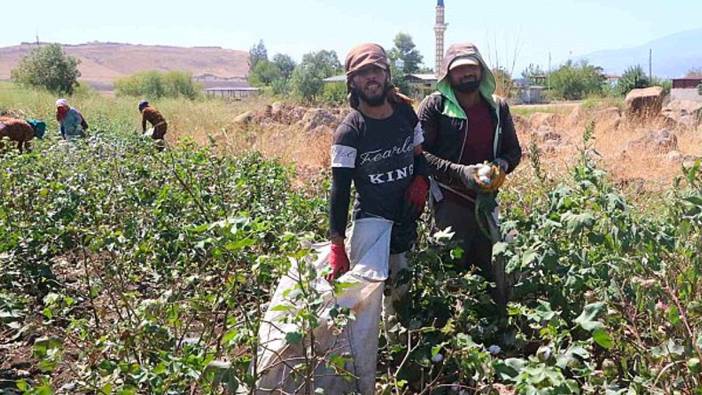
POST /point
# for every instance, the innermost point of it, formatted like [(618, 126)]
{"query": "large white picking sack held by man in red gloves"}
[(369, 251)]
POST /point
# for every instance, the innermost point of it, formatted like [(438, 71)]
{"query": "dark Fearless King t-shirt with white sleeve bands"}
[(380, 153)]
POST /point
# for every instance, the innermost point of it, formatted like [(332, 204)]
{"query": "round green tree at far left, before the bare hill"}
[(50, 68)]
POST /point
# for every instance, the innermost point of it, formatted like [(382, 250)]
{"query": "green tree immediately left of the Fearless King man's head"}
[(308, 75)]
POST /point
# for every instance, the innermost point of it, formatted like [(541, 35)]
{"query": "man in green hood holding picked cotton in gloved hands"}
[(465, 125)]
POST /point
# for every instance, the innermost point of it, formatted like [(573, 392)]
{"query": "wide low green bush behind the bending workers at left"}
[(155, 84)]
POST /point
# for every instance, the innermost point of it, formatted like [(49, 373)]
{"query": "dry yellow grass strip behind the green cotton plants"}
[(208, 121)]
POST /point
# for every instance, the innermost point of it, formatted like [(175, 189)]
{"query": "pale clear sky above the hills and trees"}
[(512, 33)]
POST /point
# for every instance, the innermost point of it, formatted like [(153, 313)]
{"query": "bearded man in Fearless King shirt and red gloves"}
[(377, 147)]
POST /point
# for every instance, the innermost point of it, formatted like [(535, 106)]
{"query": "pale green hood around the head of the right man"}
[(487, 86)]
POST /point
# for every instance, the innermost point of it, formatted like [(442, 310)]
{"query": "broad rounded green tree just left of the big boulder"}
[(574, 81)]
